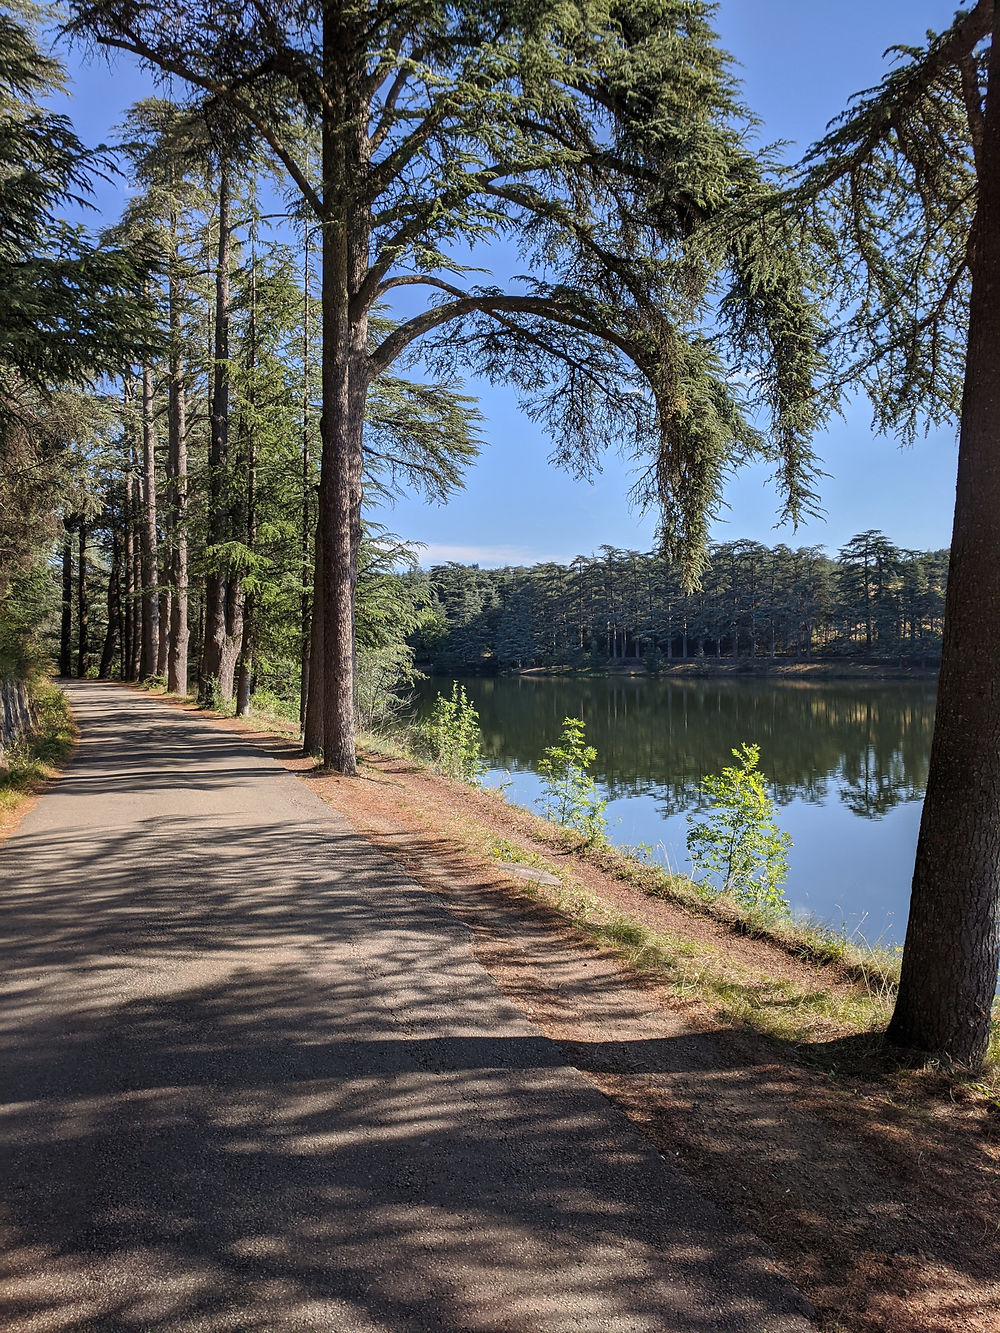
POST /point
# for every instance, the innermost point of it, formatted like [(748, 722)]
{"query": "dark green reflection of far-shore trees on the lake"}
[(867, 743)]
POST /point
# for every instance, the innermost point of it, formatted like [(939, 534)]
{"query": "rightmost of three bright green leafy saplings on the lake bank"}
[(737, 843)]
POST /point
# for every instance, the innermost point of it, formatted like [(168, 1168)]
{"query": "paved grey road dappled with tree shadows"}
[(254, 1080)]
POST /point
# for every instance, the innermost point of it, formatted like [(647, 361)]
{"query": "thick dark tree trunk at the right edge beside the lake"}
[(953, 947)]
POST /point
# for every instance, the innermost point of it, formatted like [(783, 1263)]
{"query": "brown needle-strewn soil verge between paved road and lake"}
[(878, 1191)]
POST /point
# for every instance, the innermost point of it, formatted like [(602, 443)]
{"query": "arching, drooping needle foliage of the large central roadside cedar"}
[(607, 141)]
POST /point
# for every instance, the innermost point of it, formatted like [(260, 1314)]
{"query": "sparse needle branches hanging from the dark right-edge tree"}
[(890, 197)]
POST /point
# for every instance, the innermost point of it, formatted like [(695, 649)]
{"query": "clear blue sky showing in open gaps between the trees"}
[(801, 61)]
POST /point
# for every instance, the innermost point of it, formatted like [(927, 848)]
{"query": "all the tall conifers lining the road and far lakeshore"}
[(198, 398)]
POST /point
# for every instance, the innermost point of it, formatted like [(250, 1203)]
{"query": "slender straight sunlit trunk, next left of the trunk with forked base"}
[(179, 634)]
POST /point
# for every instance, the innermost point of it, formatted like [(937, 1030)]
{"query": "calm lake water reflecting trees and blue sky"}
[(846, 763)]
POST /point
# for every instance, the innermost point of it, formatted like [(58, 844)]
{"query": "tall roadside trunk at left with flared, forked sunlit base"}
[(223, 602)]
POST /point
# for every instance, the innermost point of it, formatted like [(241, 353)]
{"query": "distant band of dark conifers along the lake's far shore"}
[(874, 602)]
